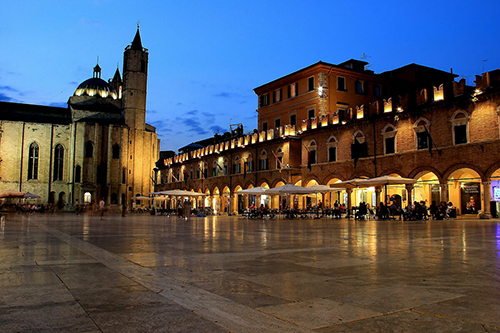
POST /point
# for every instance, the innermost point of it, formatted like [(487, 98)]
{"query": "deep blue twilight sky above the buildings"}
[(205, 57)]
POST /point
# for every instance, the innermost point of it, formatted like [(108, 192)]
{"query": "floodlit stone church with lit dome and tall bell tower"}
[(98, 147)]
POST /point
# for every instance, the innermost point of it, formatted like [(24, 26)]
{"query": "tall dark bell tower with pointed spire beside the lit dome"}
[(135, 77)]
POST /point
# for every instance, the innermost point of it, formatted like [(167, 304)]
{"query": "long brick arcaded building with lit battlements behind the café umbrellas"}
[(328, 123)]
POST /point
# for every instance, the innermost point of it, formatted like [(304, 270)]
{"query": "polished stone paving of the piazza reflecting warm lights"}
[(141, 273)]
